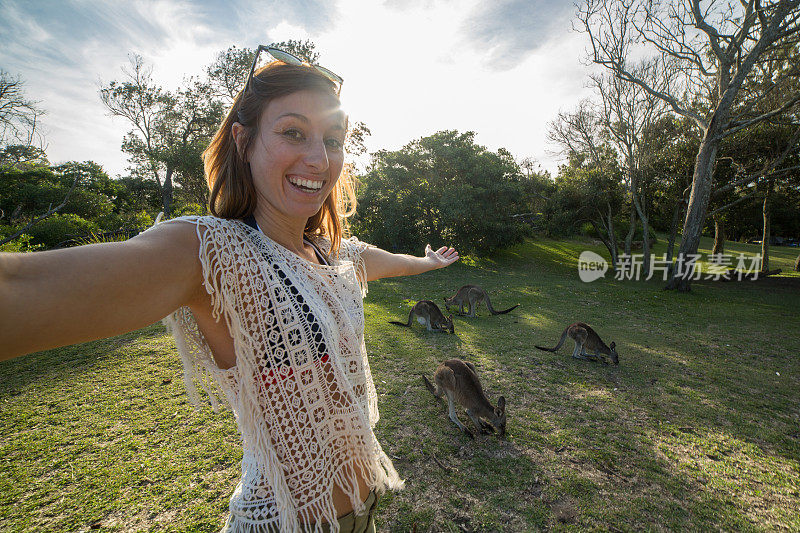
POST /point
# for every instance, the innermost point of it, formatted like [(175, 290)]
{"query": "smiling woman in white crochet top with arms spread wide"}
[(264, 299)]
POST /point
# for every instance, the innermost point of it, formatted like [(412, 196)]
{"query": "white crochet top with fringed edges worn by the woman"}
[(301, 390)]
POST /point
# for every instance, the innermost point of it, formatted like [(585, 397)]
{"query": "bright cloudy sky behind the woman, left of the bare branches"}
[(502, 68)]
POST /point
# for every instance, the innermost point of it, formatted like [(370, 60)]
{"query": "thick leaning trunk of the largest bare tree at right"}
[(698, 204)]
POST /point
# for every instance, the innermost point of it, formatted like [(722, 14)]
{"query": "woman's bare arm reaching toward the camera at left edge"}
[(61, 297)]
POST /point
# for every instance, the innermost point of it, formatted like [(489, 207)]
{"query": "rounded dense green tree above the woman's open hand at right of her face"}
[(442, 188)]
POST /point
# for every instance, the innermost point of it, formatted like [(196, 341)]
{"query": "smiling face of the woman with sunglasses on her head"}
[(298, 153)]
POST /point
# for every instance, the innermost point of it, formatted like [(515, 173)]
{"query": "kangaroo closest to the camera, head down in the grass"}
[(459, 381)]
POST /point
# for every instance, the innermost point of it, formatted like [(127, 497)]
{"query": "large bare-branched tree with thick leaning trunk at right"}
[(710, 52)]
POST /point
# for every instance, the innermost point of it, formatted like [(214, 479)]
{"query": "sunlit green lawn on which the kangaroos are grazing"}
[(698, 428)]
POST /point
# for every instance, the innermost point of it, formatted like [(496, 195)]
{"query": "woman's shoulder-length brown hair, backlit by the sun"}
[(228, 172)]
